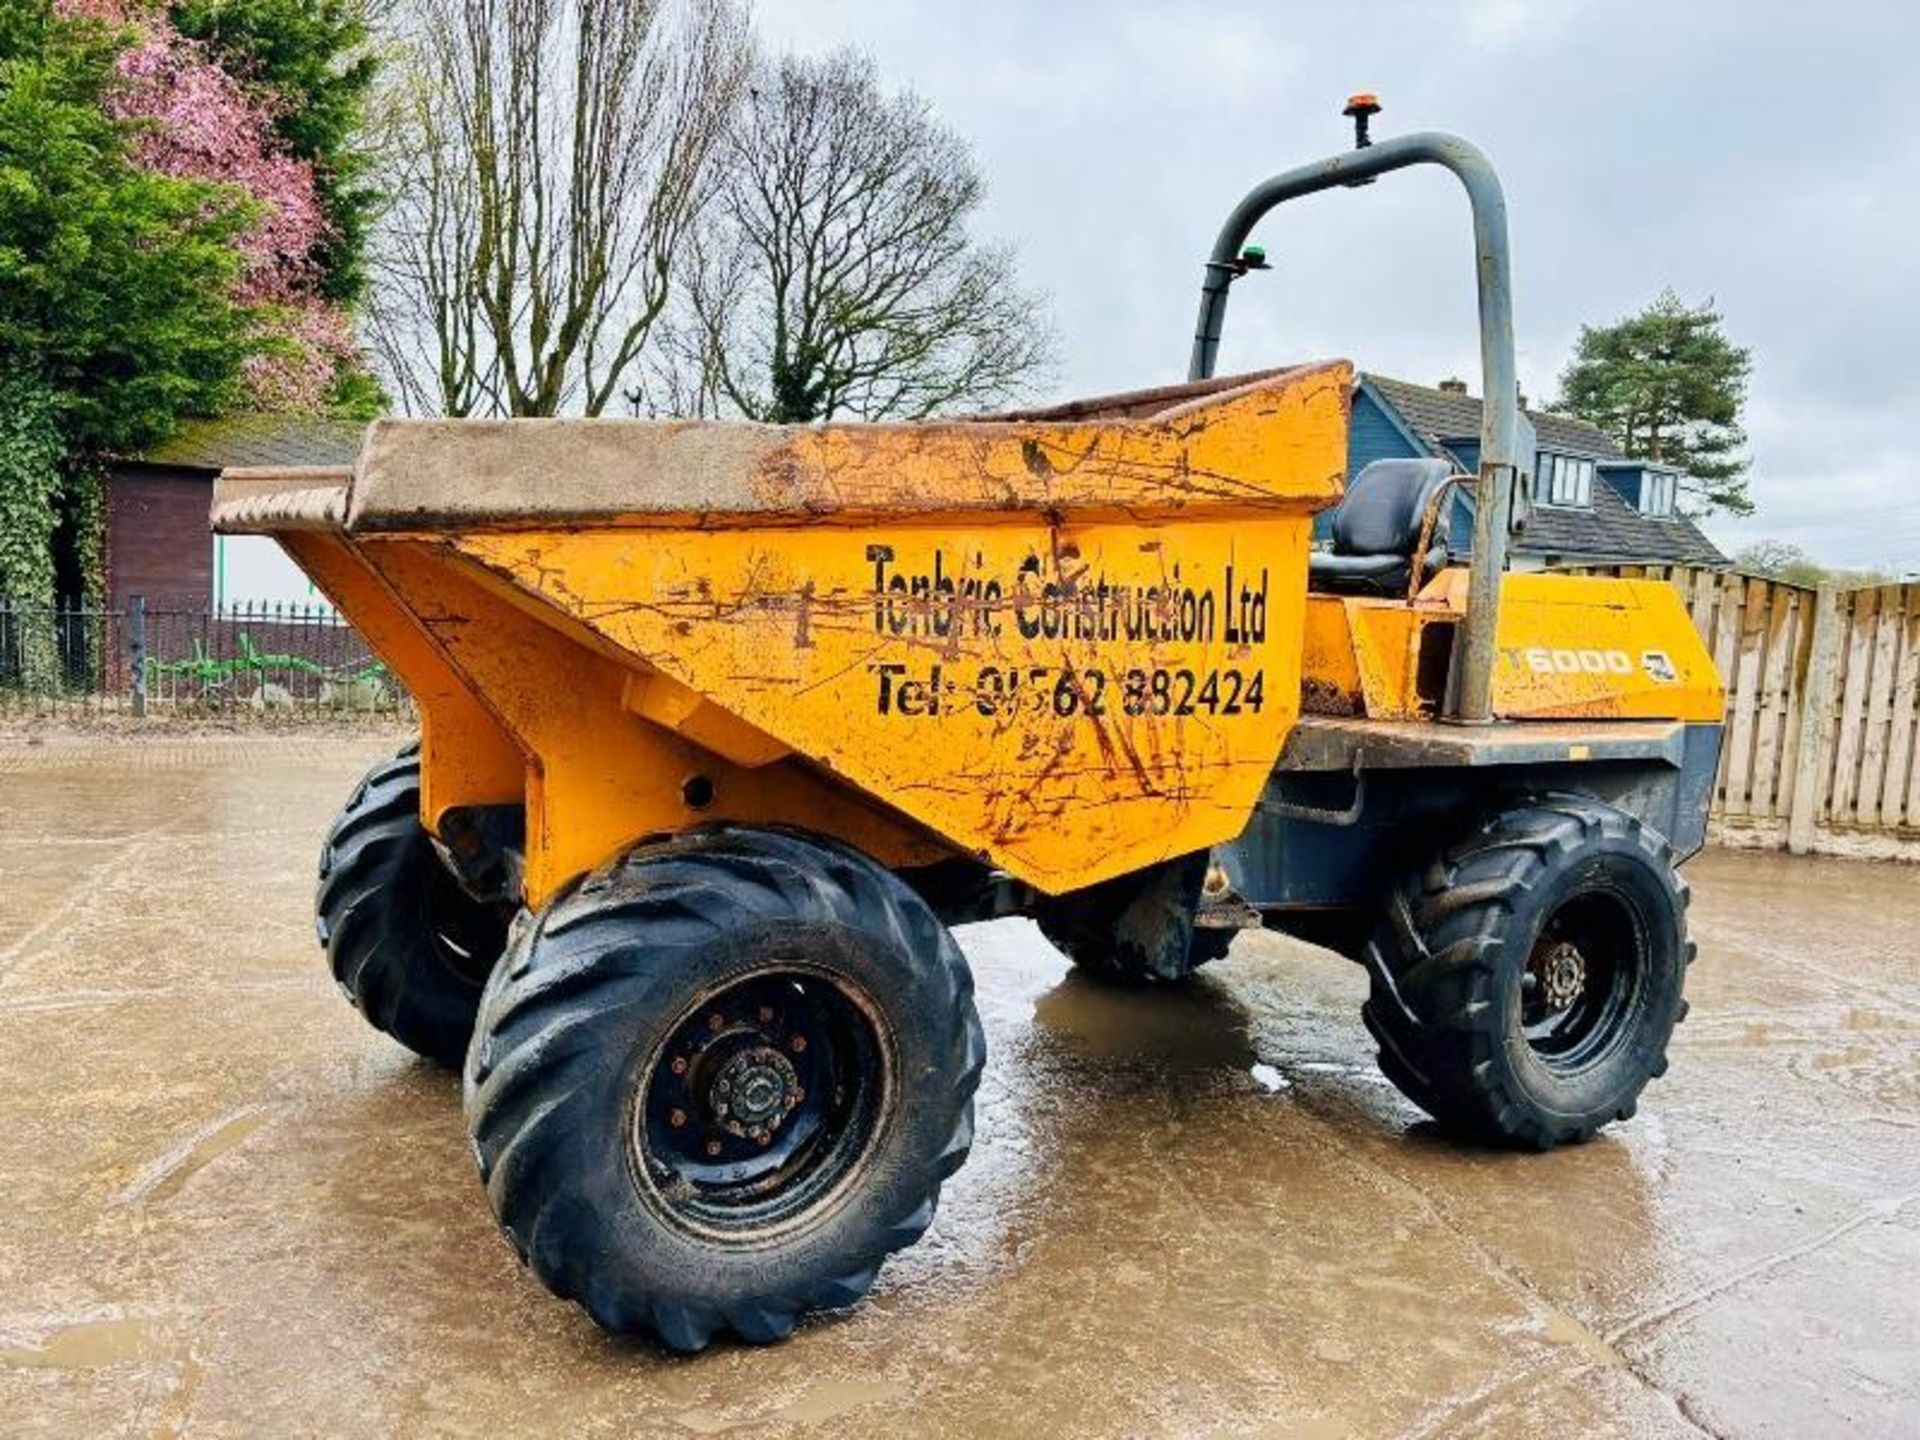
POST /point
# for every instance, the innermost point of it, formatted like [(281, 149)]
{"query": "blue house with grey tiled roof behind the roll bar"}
[(1593, 504)]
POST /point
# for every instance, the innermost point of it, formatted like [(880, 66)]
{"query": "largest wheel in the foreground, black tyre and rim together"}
[(721, 1082)]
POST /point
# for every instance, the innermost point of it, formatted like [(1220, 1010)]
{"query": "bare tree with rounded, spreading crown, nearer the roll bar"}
[(834, 274)]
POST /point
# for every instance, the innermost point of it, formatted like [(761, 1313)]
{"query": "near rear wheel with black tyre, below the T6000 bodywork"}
[(1525, 986)]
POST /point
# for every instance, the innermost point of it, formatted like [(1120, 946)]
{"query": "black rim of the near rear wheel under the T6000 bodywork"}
[(1585, 982)]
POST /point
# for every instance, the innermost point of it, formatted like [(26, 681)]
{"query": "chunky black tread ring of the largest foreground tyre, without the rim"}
[(581, 961)]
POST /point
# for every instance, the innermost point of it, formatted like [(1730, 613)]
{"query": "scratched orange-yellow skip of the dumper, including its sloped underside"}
[(1068, 648)]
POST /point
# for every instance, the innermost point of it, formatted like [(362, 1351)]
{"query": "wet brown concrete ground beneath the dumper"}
[(231, 1209)]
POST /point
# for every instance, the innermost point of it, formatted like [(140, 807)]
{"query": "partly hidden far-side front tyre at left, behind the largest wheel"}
[(406, 944)]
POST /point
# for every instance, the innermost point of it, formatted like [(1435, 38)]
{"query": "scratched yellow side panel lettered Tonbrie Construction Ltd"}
[(1070, 702)]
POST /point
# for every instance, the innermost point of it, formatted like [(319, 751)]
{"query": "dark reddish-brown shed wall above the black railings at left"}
[(158, 539)]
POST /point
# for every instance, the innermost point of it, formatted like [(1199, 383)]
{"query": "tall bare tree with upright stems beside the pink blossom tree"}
[(546, 160)]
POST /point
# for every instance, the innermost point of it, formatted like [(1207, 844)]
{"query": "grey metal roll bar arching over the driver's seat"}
[(1472, 669)]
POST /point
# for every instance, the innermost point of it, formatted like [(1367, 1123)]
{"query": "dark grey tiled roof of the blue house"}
[(1610, 529)]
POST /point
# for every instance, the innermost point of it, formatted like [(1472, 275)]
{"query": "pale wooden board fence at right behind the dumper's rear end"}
[(1823, 709)]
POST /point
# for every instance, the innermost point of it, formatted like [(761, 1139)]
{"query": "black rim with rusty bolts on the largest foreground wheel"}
[(763, 1105)]
